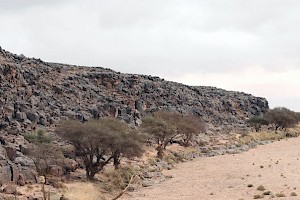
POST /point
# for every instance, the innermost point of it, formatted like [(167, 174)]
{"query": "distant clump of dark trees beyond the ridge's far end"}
[(277, 118)]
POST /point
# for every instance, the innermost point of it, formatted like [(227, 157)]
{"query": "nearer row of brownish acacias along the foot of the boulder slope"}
[(108, 140)]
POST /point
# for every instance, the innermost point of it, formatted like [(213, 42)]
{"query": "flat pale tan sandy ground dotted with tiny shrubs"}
[(275, 166)]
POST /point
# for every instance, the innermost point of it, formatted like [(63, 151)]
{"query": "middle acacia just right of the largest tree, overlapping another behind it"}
[(160, 130)]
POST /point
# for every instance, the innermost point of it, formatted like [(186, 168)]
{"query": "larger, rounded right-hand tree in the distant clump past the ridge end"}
[(281, 117)]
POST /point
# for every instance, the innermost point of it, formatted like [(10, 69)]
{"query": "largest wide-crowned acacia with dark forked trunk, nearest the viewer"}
[(98, 142)]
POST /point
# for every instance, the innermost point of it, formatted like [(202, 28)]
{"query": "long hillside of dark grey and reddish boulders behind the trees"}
[(34, 93)]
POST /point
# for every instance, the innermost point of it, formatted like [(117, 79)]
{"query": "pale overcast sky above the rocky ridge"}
[(244, 45)]
